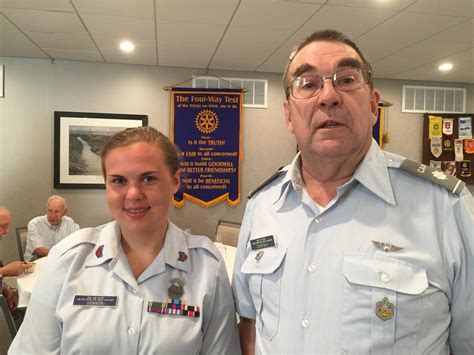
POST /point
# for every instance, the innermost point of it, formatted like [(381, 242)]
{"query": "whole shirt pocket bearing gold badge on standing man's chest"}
[(382, 303)]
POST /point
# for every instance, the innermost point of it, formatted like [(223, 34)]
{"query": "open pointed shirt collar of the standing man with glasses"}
[(372, 172)]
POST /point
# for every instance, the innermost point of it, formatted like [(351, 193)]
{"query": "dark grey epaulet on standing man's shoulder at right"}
[(449, 182)]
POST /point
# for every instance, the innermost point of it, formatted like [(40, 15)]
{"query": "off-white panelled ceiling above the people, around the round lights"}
[(403, 39)]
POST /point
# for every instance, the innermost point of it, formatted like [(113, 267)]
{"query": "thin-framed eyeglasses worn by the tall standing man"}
[(348, 79)]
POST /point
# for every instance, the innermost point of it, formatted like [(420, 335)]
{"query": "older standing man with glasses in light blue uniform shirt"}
[(351, 249)]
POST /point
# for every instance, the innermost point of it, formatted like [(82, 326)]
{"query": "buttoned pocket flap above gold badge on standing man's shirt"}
[(384, 272)]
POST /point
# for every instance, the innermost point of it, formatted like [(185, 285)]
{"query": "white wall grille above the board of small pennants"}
[(421, 99)]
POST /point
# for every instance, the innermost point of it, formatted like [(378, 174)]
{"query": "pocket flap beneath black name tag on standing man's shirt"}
[(266, 263)]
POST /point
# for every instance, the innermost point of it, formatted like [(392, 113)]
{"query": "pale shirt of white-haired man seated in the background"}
[(41, 233)]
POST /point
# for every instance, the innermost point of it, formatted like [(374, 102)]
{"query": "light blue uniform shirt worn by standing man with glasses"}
[(317, 290)]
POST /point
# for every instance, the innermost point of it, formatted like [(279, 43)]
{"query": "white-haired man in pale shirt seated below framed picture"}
[(46, 231)]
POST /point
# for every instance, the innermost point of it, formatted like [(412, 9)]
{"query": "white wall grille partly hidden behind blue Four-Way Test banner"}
[(255, 96)]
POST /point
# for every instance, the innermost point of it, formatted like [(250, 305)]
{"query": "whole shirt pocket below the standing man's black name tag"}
[(265, 274)]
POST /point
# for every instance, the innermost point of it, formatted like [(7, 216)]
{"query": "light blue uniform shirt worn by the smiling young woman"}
[(91, 262)]
